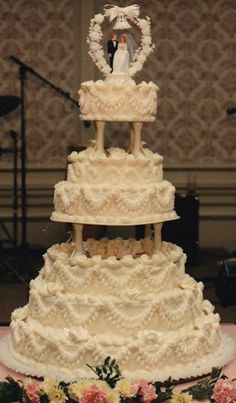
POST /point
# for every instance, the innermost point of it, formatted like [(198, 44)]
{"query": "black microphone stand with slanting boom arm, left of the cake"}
[(23, 69)]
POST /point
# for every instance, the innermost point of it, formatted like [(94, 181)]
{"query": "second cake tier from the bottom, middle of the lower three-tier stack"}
[(123, 313)]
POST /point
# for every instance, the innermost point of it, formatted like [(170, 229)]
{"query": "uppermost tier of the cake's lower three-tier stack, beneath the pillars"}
[(114, 264)]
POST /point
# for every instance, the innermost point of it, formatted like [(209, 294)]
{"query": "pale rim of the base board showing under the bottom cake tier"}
[(178, 373)]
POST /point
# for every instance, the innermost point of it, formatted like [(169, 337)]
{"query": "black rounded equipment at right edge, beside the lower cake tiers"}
[(225, 285)]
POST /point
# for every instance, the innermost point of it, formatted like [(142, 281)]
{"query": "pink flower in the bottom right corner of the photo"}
[(224, 391)]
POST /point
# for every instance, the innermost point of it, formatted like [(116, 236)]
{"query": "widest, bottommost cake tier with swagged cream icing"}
[(150, 354)]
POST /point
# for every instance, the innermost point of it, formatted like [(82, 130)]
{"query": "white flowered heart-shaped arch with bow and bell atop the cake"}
[(122, 15)]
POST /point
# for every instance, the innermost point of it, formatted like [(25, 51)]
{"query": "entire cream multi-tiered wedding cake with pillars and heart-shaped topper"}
[(128, 299)]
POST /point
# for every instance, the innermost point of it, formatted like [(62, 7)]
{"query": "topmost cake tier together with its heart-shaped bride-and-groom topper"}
[(118, 97)]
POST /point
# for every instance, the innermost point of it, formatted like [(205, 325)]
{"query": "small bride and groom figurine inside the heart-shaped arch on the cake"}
[(119, 54)]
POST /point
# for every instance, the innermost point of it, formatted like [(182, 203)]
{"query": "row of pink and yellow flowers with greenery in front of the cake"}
[(110, 387)]
